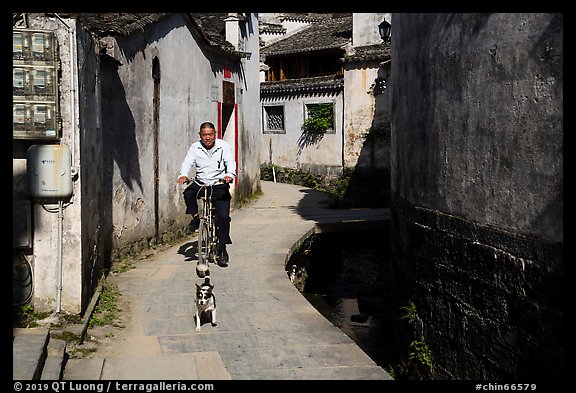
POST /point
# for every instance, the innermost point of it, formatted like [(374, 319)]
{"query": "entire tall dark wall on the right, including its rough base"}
[(477, 190)]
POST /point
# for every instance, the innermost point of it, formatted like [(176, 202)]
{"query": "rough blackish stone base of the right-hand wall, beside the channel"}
[(489, 302)]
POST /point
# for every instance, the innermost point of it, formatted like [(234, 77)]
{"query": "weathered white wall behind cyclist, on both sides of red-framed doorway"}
[(186, 100)]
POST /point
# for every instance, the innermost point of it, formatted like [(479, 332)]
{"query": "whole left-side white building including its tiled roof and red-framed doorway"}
[(132, 97)]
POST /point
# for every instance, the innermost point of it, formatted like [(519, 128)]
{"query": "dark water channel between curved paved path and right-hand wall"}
[(345, 276)]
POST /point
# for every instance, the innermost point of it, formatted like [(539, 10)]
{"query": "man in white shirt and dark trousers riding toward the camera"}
[(215, 164)]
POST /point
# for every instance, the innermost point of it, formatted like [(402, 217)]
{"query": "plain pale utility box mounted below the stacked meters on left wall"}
[(49, 171)]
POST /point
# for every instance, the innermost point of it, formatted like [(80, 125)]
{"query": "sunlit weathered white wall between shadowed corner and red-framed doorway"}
[(186, 100)]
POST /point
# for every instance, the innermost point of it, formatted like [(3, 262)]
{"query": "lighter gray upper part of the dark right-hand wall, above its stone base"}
[(477, 117)]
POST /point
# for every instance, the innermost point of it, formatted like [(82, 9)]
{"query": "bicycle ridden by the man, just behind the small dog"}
[(207, 229)]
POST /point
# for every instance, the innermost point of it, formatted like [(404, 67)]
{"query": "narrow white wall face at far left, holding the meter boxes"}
[(45, 221)]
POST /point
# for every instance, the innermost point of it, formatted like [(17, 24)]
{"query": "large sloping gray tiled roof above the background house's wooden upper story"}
[(328, 34)]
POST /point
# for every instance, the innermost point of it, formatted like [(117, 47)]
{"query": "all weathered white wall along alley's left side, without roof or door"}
[(113, 145)]
